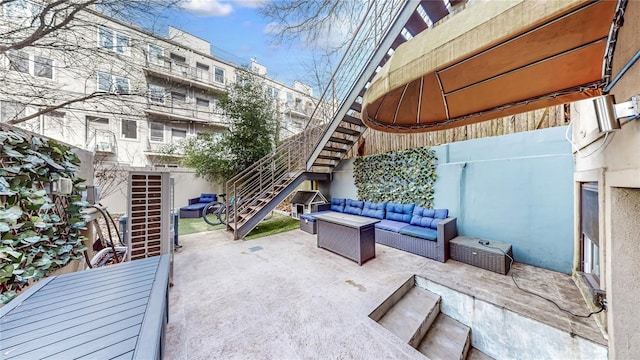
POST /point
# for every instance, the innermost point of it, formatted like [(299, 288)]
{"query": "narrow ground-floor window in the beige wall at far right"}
[(590, 230)]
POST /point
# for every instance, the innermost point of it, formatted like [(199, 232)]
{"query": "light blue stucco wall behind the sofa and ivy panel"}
[(515, 188)]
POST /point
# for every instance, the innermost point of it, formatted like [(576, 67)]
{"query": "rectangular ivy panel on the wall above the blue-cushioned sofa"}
[(402, 176)]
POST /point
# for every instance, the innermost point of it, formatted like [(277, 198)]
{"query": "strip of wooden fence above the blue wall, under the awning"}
[(376, 142)]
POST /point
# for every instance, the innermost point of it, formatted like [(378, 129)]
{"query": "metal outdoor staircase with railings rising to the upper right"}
[(314, 153)]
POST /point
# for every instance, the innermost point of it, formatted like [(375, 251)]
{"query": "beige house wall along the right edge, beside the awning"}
[(615, 163)]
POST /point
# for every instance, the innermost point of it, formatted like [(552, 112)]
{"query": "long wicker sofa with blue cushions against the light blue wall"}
[(415, 229)]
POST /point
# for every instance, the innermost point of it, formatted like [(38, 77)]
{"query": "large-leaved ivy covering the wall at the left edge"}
[(39, 231)]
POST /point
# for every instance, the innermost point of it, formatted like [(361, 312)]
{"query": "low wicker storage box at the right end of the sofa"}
[(469, 250)]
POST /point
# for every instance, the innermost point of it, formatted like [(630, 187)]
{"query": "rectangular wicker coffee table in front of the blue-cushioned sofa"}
[(348, 235)]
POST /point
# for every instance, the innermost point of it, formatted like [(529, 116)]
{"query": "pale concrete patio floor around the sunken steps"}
[(280, 297)]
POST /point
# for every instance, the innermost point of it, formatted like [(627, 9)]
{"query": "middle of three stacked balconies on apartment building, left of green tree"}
[(180, 111)]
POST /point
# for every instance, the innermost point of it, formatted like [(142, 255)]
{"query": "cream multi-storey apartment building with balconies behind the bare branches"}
[(139, 91)]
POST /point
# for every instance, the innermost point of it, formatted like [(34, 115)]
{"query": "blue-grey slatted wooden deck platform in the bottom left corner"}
[(118, 311)]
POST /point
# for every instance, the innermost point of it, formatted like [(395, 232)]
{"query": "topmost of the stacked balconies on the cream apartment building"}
[(188, 75)]
